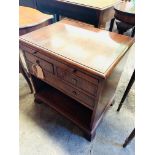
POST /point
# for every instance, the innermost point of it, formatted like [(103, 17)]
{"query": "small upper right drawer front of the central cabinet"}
[(77, 81)]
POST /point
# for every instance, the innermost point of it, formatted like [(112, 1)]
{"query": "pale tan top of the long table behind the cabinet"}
[(100, 4)]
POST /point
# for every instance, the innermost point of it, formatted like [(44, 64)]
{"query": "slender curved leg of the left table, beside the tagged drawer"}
[(24, 73)]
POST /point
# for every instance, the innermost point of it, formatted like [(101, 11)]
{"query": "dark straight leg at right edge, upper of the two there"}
[(127, 90)]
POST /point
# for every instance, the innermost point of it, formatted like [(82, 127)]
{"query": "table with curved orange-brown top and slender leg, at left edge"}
[(30, 20)]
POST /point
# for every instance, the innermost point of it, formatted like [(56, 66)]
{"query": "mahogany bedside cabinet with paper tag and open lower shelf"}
[(76, 71)]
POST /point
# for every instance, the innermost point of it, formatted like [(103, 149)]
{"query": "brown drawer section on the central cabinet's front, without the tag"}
[(76, 81)]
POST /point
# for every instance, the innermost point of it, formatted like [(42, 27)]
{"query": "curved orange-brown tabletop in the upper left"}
[(30, 17)]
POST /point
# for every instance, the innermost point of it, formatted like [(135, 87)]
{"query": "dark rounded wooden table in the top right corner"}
[(125, 13)]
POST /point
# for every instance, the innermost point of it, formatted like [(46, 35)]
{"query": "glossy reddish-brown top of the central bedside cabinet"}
[(95, 50)]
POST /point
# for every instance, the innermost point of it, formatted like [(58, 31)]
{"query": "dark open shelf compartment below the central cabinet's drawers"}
[(63, 104)]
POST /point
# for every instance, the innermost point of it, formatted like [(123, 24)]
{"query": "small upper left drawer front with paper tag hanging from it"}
[(44, 64)]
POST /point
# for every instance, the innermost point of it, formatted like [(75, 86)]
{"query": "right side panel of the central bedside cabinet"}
[(107, 92)]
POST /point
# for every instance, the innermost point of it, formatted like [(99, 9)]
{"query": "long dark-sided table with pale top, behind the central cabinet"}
[(95, 12)]
